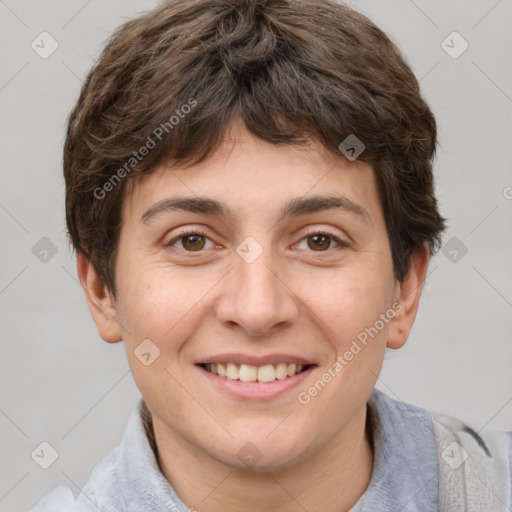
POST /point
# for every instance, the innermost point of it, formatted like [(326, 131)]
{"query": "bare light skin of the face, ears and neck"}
[(293, 299)]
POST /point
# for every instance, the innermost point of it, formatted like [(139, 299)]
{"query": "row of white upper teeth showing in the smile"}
[(249, 373)]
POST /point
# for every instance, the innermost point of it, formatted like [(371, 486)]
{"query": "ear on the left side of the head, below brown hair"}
[(99, 299)]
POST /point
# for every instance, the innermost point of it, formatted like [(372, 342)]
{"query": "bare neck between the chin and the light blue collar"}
[(331, 480)]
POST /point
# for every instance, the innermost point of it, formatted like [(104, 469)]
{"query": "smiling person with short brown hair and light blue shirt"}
[(249, 191)]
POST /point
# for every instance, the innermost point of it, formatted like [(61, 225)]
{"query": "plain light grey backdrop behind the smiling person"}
[(62, 384)]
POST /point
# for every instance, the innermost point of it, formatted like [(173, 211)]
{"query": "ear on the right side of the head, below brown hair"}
[(408, 295)]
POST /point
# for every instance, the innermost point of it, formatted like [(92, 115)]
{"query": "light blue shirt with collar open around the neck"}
[(404, 477)]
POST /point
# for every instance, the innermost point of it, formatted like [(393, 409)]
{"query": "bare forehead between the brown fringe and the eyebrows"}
[(251, 178)]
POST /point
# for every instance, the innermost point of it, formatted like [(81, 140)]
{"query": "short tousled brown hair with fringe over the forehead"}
[(289, 70)]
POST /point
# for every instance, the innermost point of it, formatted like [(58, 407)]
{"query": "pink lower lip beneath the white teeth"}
[(257, 390)]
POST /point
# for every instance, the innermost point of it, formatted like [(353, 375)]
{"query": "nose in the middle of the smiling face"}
[(257, 297)]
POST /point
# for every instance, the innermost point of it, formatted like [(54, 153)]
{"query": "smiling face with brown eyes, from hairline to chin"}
[(262, 282)]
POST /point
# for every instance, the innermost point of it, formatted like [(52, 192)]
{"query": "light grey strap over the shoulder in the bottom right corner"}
[(474, 471)]
